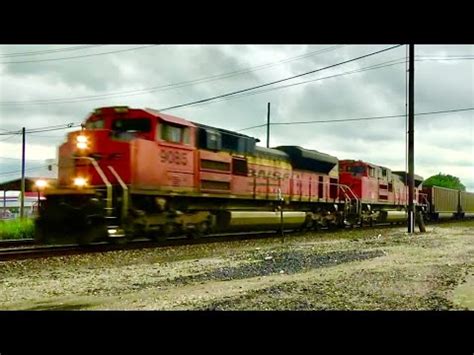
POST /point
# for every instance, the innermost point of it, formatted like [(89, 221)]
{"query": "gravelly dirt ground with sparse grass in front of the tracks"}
[(371, 269)]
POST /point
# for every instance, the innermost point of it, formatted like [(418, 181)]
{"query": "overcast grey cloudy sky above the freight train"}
[(55, 84)]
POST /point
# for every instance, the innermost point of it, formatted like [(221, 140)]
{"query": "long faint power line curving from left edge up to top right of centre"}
[(172, 85)]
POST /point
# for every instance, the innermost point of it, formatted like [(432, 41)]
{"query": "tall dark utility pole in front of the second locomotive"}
[(411, 140)]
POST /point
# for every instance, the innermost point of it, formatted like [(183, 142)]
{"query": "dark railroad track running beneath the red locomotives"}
[(26, 248)]
